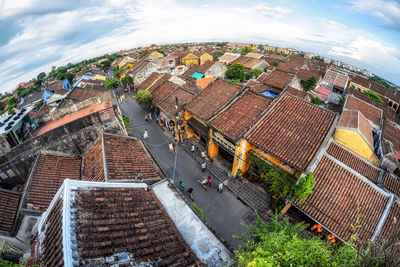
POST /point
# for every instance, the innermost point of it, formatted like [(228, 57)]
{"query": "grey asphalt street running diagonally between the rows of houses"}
[(225, 213)]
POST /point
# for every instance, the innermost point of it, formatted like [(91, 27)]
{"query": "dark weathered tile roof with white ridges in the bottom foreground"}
[(113, 226)]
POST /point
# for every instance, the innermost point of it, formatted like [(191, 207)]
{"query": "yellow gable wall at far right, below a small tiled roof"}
[(354, 141)]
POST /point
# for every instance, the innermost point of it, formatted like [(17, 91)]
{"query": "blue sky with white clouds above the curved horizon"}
[(37, 34)]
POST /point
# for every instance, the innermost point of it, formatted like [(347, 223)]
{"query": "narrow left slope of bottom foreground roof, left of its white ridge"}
[(51, 253)]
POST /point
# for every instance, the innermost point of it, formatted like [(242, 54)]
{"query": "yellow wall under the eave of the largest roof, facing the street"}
[(240, 160)]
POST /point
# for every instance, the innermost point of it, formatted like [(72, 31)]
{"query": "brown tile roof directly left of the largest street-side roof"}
[(243, 114)]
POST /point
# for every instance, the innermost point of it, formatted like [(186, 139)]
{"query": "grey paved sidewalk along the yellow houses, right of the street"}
[(251, 195)]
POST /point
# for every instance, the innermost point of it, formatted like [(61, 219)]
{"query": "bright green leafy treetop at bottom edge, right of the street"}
[(277, 243)]
